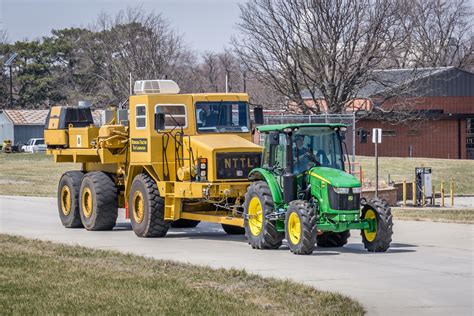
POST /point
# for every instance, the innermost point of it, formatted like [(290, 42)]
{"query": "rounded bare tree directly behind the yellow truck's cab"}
[(137, 43)]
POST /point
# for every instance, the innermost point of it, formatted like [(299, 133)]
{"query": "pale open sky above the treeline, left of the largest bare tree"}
[(205, 24)]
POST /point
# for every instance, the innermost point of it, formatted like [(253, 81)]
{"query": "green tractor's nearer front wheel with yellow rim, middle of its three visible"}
[(300, 227)]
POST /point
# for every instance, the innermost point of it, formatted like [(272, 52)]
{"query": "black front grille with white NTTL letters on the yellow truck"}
[(236, 165)]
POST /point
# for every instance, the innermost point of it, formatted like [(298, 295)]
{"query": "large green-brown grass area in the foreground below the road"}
[(40, 277)]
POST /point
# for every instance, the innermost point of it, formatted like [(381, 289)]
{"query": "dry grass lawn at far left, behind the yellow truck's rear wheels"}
[(31, 174)]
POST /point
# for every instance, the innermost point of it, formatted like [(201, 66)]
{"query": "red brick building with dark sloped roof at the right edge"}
[(443, 97)]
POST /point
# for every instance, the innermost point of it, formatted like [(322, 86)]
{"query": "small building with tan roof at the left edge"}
[(21, 125)]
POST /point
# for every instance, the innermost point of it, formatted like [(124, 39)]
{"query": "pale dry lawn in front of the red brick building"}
[(461, 171)]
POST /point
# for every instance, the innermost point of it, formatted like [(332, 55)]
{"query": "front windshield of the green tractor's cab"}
[(316, 146)]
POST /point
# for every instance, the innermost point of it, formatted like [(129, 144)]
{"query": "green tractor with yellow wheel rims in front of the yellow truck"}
[(302, 193)]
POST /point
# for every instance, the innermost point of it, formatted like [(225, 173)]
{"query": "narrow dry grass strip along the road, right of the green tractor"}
[(464, 216)]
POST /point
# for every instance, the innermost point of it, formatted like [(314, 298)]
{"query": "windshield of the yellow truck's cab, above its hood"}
[(221, 117)]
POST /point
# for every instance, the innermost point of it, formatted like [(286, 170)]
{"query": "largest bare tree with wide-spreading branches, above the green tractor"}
[(326, 48)]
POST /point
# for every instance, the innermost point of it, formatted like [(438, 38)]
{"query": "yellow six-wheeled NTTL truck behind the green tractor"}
[(170, 159)]
